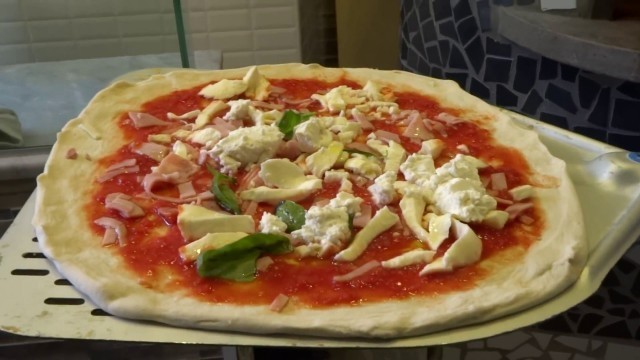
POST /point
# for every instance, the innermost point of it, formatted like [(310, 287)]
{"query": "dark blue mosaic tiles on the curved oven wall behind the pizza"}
[(453, 40)]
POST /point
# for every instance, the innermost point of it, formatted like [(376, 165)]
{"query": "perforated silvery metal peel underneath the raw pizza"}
[(606, 178)]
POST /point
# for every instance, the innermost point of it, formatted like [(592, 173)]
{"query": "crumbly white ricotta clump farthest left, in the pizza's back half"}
[(247, 145)]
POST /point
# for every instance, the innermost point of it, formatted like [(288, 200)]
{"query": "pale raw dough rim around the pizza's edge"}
[(550, 265)]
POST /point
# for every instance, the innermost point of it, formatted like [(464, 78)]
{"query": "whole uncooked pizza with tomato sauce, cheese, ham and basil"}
[(297, 199)]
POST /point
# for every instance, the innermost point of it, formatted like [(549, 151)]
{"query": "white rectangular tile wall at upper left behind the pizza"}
[(246, 31)]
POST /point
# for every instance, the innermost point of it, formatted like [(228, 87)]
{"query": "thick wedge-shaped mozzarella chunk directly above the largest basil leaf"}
[(195, 222)]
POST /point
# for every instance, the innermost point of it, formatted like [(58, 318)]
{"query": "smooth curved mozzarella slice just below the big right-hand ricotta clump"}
[(466, 250)]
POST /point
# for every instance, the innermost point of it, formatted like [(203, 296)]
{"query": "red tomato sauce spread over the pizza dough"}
[(153, 243)]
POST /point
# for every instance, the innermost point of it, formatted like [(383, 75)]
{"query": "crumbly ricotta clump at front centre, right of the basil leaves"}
[(326, 226)]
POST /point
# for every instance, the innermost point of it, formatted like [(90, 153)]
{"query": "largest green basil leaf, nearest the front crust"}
[(237, 261)]
